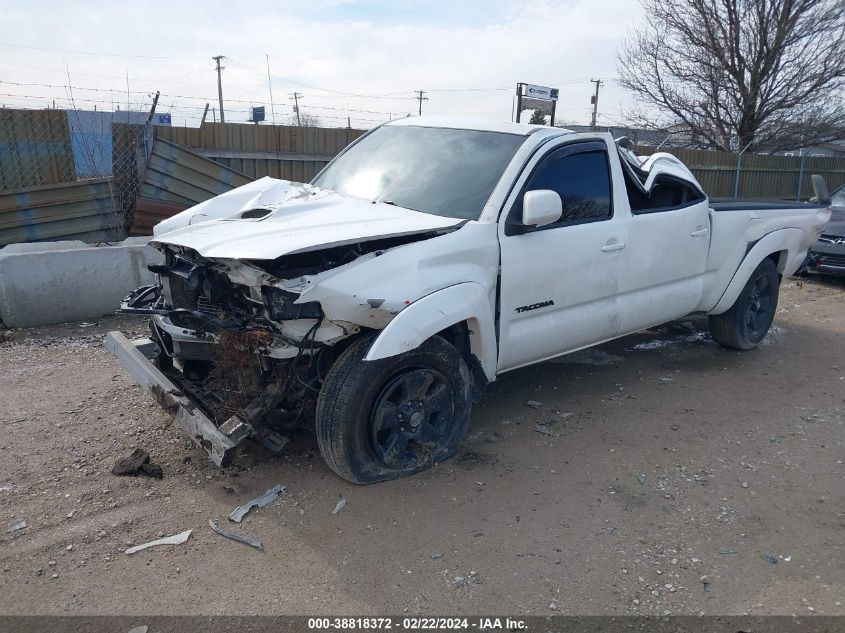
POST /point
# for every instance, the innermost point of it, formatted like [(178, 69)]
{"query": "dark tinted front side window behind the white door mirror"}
[(581, 179)]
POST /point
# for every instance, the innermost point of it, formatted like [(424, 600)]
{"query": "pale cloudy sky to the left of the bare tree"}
[(362, 59)]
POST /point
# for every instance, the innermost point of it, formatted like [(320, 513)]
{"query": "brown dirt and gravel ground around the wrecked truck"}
[(688, 479)]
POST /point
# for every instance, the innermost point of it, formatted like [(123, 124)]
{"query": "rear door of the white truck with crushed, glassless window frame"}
[(668, 242)]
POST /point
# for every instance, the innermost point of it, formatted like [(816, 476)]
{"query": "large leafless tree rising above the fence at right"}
[(733, 72)]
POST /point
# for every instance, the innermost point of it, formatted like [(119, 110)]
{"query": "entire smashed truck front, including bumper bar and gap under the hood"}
[(237, 340)]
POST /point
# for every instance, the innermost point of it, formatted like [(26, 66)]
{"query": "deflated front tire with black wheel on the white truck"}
[(389, 418)]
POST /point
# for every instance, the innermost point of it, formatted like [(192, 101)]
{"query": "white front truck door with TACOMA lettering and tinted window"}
[(559, 282)]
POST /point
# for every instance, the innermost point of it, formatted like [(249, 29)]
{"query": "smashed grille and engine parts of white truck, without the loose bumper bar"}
[(231, 338)]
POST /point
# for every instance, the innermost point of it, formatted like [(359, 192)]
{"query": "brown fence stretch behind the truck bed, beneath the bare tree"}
[(760, 175)]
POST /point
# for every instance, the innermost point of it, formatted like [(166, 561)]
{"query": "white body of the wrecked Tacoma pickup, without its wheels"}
[(523, 294)]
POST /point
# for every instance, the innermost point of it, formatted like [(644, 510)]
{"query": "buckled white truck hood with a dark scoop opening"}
[(283, 218)]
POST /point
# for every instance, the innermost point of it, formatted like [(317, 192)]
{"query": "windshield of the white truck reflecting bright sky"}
[(434, 170)]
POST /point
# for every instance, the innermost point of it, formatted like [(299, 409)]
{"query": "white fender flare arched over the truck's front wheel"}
[(437, 311)]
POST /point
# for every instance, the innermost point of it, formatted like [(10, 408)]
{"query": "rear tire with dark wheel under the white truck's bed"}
[(748, 320)]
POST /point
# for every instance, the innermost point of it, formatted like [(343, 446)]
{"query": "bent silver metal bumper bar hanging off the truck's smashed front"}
[(135, 357)]
